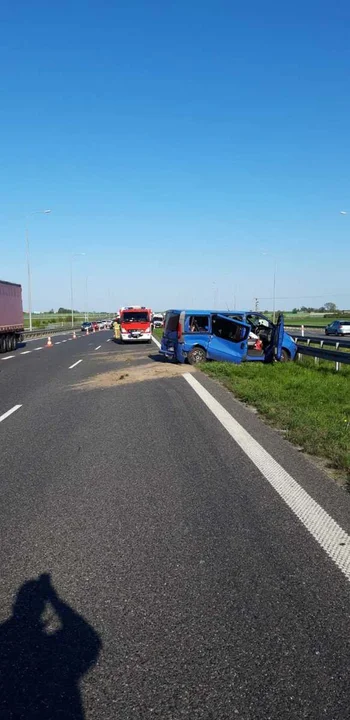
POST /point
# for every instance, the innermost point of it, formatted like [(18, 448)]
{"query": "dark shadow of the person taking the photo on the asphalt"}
[(45, 649)]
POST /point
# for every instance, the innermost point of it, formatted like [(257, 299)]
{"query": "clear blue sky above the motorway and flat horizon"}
[(176, 143)]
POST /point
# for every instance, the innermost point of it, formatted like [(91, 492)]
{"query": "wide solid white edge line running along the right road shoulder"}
[(332, 538)]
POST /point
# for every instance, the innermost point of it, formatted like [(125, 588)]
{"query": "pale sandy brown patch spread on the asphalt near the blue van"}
[(132, 374)]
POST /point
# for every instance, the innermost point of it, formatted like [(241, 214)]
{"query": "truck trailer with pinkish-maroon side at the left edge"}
[(11, 316)]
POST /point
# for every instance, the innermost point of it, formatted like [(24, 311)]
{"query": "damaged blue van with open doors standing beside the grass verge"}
[(195, 336)]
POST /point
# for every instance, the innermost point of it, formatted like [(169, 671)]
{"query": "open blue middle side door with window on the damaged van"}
[(229, 339)]
